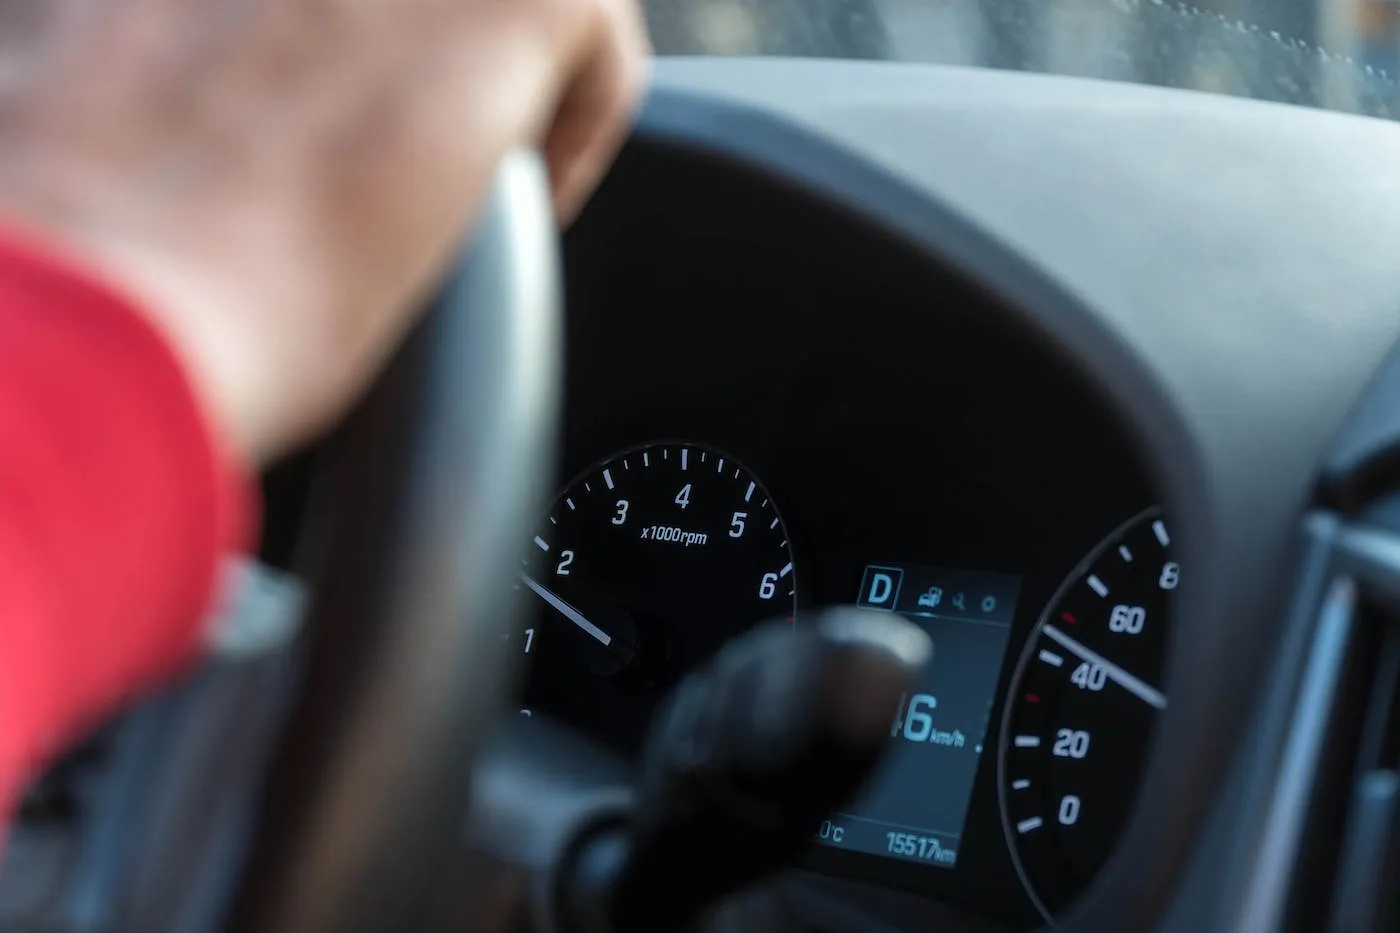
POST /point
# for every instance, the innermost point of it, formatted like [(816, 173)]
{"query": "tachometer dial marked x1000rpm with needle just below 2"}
[(645, 567)]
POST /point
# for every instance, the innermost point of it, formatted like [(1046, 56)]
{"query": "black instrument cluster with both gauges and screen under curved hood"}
[(766, 415)]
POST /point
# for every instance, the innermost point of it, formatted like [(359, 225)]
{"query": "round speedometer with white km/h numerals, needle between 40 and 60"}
[(1081, 711)]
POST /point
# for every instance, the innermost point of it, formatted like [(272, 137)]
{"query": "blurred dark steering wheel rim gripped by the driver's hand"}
[(421, 499)]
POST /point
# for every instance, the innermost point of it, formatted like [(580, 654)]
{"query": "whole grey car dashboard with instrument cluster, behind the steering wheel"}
[(1094, 383)]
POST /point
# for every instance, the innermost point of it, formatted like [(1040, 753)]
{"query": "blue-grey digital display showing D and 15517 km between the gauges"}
[(916, 803)]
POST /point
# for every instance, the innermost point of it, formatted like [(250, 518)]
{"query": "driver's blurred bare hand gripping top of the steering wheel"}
[(281, 183)]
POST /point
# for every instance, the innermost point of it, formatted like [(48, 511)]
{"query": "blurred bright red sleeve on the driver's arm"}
[(117, 505)]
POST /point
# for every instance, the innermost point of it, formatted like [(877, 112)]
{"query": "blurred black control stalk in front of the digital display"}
[(745, 761)]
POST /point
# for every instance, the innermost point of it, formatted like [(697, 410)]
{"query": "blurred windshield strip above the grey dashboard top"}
[(1333, 54)]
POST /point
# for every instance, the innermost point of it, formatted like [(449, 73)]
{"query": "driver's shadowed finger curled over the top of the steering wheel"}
[(597, 107)]
